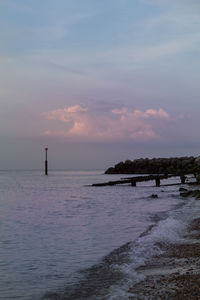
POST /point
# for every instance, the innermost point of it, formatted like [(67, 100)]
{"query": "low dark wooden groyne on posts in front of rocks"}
[(133, 180)]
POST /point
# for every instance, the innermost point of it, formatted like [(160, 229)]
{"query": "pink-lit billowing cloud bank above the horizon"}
[(117, 125)]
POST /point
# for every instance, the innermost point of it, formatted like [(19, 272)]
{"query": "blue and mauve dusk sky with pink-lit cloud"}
[(98, 81)]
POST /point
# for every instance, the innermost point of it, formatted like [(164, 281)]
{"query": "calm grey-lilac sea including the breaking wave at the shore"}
[(61, 238)]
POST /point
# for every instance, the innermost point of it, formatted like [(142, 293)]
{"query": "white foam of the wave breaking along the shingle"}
[(168, 231)]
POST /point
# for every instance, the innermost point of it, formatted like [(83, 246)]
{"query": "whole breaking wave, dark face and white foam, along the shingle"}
[(118, 271)]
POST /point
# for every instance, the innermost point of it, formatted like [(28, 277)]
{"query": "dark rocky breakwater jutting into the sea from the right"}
[(172, 165)]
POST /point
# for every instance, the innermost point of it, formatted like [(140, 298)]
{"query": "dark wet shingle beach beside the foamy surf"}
[(175, 274)]
